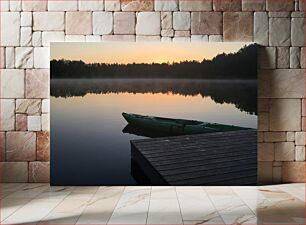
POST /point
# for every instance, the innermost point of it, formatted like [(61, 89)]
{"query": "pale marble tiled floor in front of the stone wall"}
[(42, 204)]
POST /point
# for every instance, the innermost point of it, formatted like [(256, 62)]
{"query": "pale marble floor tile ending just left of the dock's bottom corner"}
[(132, 207)]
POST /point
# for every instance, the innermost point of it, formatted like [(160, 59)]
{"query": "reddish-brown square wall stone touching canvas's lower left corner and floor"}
[(39, 172)]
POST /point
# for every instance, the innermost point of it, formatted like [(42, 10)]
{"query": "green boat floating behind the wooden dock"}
[(177, 126)]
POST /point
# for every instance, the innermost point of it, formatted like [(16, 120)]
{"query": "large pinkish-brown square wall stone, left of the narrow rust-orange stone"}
[(20, 146)]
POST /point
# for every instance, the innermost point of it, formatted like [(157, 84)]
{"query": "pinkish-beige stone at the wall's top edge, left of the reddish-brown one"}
[(203, 5)]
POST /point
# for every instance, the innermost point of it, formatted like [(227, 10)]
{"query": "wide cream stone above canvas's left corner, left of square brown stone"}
[(48, 21)]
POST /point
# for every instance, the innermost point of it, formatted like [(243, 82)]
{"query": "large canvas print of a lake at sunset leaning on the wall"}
[(153, 114)]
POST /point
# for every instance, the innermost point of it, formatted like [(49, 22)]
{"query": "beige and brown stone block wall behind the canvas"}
[(28, 27)]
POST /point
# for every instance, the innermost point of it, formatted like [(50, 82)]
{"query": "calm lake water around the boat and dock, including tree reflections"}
[(88, 146)]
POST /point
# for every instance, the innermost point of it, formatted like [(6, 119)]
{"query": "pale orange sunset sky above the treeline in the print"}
[(123, 53)]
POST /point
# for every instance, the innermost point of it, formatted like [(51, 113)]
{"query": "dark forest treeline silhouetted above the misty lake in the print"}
[(239, 65)]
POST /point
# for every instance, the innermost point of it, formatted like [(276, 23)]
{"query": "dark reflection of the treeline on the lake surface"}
[(241, 93)]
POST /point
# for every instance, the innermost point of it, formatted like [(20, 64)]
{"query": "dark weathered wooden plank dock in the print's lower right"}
[(228, 158)]
